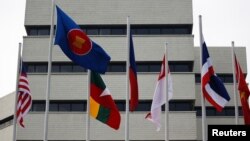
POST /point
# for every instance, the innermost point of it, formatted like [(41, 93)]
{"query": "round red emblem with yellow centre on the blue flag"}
[(79, 42)]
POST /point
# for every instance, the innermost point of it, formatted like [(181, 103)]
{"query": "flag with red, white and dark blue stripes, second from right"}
[(212, 87)]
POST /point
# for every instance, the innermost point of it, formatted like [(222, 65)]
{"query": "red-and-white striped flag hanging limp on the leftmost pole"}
[(24, 100)]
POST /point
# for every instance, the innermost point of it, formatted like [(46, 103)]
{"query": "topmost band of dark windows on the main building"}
[(118, 29)]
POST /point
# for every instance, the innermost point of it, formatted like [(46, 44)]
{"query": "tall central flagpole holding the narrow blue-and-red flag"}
[(127, 83)]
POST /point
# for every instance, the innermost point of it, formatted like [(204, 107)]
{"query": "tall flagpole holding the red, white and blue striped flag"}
[(202, 97)]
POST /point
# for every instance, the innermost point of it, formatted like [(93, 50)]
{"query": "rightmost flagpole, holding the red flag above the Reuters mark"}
[(234, 87)]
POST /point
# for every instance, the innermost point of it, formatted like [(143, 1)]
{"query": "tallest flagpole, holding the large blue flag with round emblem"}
[(49, 71)]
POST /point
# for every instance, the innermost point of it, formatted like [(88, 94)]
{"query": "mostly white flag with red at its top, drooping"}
[(159, 98)]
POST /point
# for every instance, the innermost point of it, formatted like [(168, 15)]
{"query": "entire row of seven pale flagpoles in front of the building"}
[(204, 136)]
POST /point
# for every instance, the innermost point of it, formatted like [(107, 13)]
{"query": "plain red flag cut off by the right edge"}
[(244, 91)]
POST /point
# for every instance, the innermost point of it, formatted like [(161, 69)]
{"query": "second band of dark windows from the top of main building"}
[(112, 67)]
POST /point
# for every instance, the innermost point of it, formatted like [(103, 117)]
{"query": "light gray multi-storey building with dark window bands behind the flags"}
[(153, 22)]
